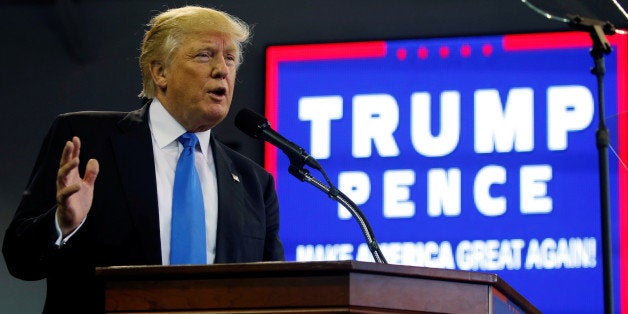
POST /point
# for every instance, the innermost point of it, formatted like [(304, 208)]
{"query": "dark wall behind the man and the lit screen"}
[(60, 56)]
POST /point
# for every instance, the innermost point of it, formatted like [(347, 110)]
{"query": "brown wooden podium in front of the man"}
[(306, 287)]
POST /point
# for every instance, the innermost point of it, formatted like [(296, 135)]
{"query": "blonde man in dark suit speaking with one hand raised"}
[(118, 210)]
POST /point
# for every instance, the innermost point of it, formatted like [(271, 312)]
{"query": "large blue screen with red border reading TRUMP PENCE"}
[(469, 153)]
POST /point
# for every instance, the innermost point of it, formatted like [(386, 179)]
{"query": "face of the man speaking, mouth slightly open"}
[(197, 87)]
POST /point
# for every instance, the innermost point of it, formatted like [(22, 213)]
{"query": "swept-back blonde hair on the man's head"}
[(169, 29)]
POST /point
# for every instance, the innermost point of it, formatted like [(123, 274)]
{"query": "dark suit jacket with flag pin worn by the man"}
[(122, 227)]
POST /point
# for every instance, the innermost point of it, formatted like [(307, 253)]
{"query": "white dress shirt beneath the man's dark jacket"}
[(165, 131)]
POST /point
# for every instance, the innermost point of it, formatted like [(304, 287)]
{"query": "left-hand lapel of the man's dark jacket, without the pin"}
[(134, 155)]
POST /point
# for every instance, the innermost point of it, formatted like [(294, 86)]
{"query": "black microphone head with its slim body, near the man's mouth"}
[(258, 127)]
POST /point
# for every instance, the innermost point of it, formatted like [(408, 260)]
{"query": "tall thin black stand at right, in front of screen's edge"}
[(598, 30)]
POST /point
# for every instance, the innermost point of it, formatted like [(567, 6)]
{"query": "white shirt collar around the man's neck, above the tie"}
[(166, 129)]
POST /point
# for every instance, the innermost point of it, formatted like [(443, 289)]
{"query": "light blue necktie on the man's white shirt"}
[(187, 237)]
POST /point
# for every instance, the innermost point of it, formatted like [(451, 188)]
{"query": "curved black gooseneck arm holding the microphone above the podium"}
[(297, 170)]
